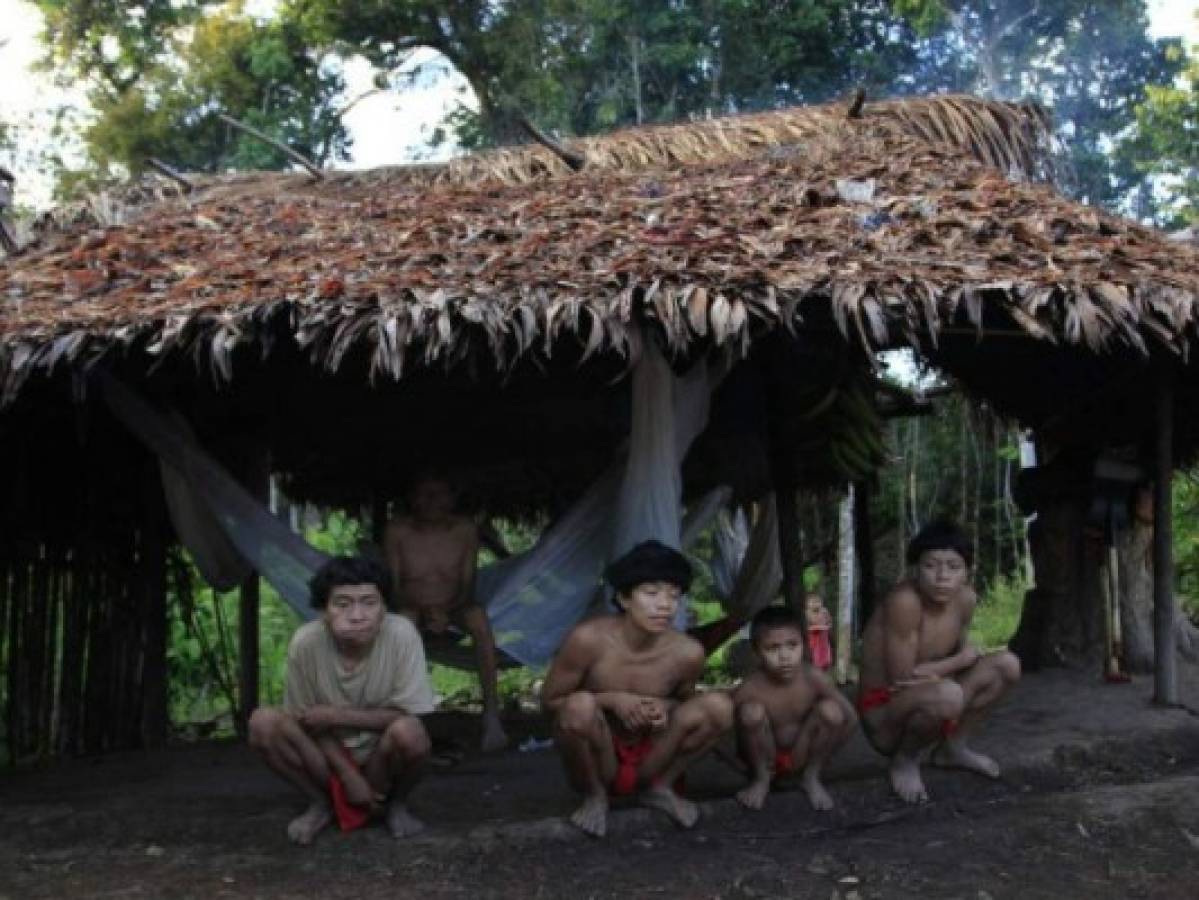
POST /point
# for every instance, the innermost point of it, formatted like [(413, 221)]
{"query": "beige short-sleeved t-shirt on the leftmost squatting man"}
[(394, 676)]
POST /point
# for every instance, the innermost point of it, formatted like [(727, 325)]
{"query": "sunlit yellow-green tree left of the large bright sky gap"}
[(160, 73)]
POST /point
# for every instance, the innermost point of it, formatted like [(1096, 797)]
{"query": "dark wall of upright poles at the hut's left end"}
[(82, 600)]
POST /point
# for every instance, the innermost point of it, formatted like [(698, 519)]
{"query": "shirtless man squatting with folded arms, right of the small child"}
[(924, 686)]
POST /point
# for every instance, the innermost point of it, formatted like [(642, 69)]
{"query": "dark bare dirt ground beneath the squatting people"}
[(1100, 800)]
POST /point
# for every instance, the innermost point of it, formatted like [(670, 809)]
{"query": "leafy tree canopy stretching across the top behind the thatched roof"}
[(160, 71)]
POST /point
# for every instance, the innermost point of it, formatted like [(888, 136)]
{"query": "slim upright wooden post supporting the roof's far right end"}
[(1166, 688)]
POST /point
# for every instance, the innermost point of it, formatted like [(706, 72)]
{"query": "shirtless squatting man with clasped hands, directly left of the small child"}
[(623, 694)]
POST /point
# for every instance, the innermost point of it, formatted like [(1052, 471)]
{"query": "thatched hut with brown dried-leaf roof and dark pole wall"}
[(484, 315)]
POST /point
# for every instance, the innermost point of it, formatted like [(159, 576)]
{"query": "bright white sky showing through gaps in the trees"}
[(388, 128)]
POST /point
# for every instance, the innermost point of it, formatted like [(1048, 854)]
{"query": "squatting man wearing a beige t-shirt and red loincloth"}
[(348, 735)]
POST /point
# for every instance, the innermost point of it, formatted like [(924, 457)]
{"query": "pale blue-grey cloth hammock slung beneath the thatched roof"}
[(532, 600)]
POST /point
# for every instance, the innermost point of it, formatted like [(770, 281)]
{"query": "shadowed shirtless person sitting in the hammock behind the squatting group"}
[(432, 554)]
